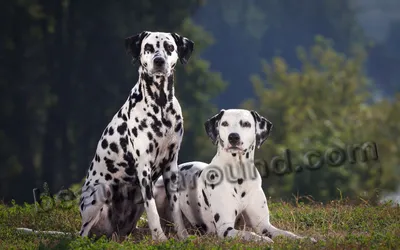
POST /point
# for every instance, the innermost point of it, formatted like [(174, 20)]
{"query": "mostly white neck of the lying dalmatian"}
[(224, 159)]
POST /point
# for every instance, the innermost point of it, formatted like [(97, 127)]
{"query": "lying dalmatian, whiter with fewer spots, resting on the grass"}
[(213, 207)]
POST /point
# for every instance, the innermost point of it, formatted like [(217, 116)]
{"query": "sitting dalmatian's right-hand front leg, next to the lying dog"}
[(172, 180)]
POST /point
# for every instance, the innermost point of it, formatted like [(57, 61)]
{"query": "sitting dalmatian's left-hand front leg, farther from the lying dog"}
[(150, 204)]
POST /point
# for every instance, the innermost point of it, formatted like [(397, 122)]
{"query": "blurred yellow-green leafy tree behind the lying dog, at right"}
[(325, 105)]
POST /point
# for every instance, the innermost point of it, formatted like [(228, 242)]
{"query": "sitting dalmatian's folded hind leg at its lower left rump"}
[(92, 206)]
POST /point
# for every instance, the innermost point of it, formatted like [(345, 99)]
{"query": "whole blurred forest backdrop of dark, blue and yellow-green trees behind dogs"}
[(325, 73)]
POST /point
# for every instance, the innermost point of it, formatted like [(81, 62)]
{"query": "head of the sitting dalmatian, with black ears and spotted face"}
[(158, 52)]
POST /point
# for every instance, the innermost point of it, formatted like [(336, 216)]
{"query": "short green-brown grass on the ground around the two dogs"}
[(337, 225)]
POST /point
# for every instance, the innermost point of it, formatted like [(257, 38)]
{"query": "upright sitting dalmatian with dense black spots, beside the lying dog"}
[(140, 144)]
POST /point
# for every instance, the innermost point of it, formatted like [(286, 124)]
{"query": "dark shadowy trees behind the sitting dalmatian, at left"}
[(68, 73)]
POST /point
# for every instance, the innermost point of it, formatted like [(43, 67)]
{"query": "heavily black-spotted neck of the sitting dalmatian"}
[(157, 89)]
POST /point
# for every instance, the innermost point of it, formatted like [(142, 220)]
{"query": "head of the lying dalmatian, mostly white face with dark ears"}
[(236, 130)]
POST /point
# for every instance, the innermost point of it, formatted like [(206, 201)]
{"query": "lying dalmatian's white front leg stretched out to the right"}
[(258, 215)]
